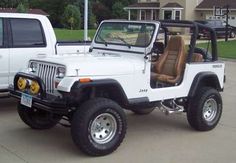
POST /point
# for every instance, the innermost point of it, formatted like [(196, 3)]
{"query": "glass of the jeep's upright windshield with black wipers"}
[(125, 33)]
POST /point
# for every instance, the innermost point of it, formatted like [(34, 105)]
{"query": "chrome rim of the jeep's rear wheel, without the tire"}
[(210, 110)]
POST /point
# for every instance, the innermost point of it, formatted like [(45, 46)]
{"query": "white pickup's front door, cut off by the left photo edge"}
[(4, 58)]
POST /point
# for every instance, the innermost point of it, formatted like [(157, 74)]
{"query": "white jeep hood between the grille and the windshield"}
[(96, 65)]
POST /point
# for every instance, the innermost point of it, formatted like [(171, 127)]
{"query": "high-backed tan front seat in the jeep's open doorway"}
[(170, 65)]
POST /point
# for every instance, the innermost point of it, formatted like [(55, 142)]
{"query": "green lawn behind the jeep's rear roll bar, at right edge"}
[(225, 49)]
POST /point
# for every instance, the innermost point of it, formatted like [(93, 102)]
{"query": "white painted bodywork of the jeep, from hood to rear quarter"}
[(133, 77)]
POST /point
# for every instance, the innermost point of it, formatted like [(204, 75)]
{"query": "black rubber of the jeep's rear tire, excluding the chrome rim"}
[(195, 109)]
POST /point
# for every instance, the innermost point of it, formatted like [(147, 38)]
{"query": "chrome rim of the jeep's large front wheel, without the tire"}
[(103, 128)]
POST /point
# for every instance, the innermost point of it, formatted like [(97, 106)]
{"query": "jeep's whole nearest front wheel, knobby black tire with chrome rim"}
[(98, 127)]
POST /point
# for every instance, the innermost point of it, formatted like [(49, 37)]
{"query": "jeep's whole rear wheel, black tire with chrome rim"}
[(205, 109)]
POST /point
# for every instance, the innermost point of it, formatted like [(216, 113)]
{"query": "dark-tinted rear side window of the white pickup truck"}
[(27, 33)]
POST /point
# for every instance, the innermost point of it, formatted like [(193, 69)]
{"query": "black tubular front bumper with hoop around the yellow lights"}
[(45, 101)]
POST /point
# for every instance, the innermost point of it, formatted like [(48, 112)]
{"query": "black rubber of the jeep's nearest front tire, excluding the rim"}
[(85, 116)]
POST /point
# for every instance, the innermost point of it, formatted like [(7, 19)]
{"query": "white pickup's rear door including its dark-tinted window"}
[(28, 42)]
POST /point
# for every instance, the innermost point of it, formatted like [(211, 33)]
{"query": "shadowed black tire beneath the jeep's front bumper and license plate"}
[(37, 119)]
